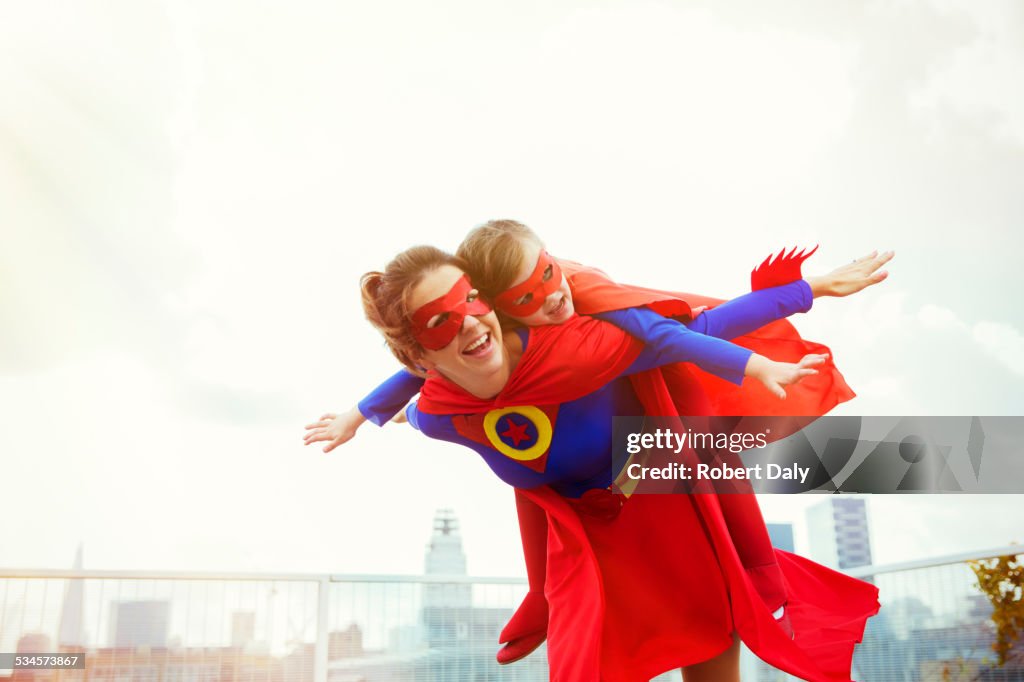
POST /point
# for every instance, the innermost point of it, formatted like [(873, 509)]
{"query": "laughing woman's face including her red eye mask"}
[(473, 348)]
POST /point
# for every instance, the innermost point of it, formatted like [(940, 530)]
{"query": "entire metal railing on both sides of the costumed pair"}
[(214, 627)]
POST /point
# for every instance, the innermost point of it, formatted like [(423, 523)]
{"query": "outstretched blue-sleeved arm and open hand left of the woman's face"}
[(380, 406)]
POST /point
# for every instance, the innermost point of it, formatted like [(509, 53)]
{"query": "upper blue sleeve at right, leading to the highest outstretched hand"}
[(750, 312)]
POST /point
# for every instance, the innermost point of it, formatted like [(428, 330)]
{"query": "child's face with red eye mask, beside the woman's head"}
[(534, 280)]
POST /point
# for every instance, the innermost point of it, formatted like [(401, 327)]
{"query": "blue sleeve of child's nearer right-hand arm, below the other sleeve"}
[(668, 342)]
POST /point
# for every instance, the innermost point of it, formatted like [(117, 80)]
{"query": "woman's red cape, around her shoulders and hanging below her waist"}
[(661, 585)]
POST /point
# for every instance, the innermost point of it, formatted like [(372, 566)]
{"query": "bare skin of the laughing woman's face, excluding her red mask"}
[(477, 353)]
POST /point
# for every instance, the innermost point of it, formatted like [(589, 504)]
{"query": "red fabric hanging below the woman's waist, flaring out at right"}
[(658, 584)]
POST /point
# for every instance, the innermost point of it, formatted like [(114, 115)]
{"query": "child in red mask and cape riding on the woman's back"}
[(507, 263)]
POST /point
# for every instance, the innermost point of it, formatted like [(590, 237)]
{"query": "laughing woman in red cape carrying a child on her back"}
[(637, 588)]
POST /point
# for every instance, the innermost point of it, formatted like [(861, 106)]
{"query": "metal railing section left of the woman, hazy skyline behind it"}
[(278, 627)]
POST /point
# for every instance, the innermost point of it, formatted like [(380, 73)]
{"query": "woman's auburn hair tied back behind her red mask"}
[(387, 295)]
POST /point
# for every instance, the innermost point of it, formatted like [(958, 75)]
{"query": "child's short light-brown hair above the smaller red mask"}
[(493, 254)]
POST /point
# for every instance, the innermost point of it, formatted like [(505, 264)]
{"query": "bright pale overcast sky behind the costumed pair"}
[(191, 191)]
